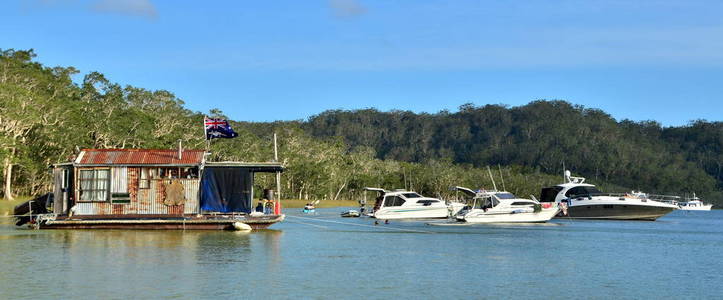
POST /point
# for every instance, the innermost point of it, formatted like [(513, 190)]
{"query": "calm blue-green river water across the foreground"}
[(324, 256)]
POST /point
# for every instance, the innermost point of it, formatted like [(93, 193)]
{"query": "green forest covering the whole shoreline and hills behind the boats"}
[(45, 117)]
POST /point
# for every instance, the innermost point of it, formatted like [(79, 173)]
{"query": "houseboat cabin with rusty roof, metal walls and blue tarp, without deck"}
[(142, 183)]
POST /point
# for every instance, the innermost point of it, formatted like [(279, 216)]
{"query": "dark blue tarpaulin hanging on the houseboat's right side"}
[(226, 189)]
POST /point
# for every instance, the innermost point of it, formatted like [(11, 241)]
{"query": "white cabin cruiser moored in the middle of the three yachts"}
[(504, 207)]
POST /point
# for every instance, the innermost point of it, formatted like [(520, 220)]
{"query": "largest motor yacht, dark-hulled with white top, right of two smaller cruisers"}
[(584, 201)]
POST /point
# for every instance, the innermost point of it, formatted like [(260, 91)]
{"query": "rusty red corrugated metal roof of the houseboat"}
[(138, 157)]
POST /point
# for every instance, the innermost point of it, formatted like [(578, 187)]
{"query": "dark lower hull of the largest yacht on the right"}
[(617, 212)]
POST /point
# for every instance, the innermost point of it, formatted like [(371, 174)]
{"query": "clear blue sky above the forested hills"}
[(283, 60)]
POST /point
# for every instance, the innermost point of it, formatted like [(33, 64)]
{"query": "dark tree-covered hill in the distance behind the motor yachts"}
[(544, 135)]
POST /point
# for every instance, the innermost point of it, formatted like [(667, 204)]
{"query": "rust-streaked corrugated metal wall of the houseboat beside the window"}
[(146, 201)]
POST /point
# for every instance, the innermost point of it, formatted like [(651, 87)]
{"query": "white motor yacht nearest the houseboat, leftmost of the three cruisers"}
[(403, 204)]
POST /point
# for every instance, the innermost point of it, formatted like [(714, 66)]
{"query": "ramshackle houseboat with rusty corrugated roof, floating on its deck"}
[(152, 189)]
